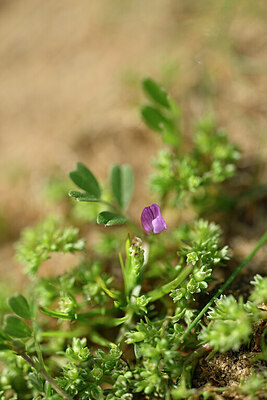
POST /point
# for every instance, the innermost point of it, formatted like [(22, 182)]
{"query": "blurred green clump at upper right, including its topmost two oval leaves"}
[(210, 161)]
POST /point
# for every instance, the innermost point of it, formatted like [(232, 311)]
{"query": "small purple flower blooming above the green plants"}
[(152, 220)]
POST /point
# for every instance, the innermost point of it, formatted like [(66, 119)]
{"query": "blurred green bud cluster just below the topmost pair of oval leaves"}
[(211, 160)]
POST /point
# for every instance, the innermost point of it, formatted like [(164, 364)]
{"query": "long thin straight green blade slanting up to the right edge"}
[(260, 243)]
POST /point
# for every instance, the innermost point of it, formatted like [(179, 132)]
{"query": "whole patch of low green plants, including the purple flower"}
[(137, 316)]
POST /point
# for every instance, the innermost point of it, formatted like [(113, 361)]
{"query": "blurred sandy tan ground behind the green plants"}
[(70, 91)]
